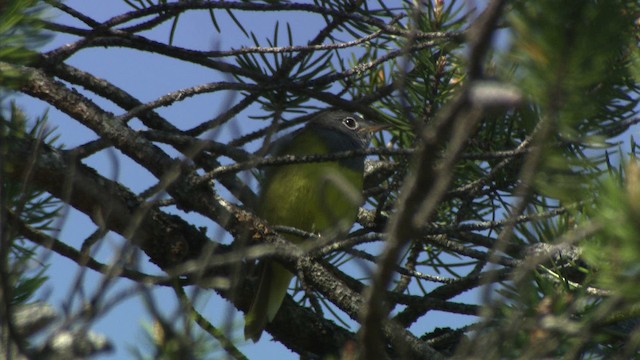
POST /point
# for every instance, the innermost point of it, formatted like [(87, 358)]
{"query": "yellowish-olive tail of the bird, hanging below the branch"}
[(274, 282)]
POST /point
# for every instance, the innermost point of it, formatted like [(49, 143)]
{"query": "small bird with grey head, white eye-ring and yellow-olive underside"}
[(316, 197)]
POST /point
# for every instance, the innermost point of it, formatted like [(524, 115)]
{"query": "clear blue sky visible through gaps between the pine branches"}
[(147, 77)]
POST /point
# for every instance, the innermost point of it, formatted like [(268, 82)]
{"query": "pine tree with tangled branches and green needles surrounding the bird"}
[(508, 172)]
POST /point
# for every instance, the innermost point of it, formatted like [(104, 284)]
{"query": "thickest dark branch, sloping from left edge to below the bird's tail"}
[(167, 239)]
